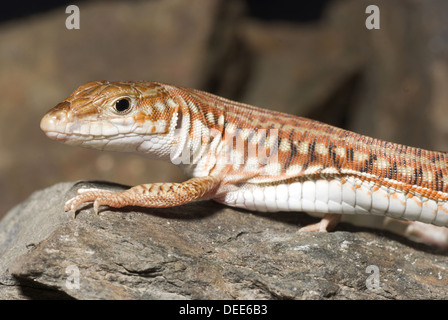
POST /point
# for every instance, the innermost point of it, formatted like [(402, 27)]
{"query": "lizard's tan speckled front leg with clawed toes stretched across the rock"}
[(154, 195)]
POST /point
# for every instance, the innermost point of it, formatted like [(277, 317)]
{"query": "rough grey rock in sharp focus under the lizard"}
[(202, 251)]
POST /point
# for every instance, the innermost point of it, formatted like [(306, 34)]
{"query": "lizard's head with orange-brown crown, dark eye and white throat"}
[(125, 116)]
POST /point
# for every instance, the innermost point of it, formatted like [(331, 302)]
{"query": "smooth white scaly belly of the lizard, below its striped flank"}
[(354, 196)]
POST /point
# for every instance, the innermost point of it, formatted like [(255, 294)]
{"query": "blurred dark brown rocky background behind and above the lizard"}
[(315, 59)]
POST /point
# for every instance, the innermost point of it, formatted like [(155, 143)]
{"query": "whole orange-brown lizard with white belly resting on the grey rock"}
[(252, 158)]
